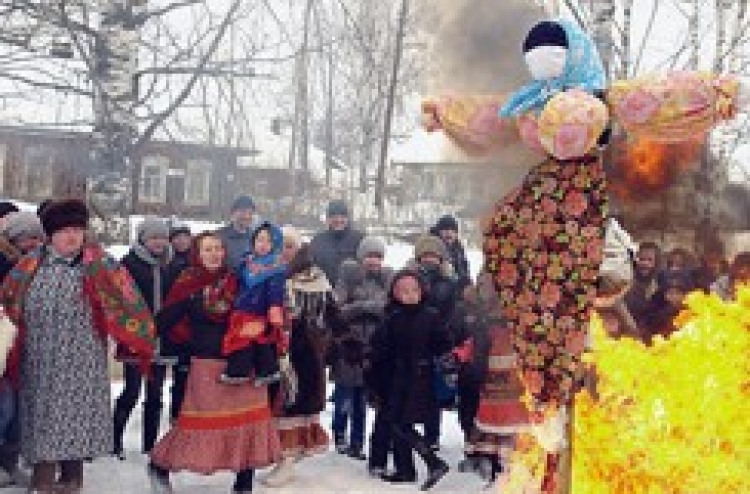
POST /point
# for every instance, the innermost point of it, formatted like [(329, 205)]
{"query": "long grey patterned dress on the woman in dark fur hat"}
[(64, 388)]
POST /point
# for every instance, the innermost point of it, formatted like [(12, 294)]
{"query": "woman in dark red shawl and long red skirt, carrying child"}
[(220, 427)]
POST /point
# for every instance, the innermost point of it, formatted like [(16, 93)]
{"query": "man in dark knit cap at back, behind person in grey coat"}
[(336, 244)]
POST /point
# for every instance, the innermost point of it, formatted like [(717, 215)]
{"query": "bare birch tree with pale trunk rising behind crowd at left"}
[(130, 63)]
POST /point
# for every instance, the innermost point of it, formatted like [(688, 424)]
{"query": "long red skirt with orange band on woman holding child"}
[(220, 427)]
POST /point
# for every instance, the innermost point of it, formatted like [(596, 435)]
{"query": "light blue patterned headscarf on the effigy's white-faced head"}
[(583, 69)]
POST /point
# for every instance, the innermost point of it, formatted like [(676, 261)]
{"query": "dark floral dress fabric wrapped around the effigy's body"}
[(544, 244)]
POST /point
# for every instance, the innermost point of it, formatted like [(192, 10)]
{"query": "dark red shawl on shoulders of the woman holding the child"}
[(219, 289)]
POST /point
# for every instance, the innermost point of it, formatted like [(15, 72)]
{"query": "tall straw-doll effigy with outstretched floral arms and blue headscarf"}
[(544, 243)]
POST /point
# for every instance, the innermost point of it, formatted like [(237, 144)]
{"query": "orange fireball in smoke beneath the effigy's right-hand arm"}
[(643, 167)]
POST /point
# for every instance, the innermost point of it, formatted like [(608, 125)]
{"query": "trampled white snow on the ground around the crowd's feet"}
[(329, 473)]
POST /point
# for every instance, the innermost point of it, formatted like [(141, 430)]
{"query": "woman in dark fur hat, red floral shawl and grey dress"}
[(66, 299)]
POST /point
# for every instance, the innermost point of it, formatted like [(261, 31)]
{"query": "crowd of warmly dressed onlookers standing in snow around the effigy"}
[(251, 321)]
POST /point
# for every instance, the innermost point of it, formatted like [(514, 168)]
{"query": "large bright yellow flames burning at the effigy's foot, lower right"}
[(669, 418)]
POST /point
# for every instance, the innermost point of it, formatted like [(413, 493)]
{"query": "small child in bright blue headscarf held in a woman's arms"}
[(255, 337)]
